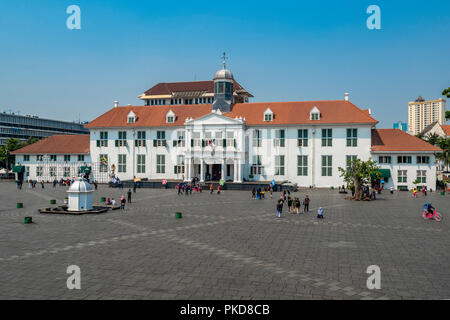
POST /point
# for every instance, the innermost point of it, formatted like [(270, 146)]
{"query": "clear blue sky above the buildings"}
[(278, 50)]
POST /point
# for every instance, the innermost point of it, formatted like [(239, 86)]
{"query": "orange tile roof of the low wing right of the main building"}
[(398, 140)]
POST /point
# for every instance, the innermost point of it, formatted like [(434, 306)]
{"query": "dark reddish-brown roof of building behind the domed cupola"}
[(170, 87)]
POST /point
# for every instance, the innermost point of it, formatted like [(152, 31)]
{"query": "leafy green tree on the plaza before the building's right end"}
[(360, 174)]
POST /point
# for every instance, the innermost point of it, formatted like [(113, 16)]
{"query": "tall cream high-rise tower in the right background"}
[(422, 113)]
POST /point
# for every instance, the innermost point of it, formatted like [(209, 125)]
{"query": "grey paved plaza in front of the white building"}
[(226, 246)]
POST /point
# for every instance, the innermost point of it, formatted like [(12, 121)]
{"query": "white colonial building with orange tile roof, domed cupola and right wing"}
[(180, 134)]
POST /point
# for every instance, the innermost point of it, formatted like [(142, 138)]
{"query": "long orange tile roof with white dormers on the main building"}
[(285, 113)]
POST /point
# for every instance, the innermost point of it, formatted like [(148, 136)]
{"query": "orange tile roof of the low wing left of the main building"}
[(58, 144)]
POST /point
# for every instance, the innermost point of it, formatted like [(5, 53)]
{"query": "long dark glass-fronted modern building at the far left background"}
[(24, 127)]
